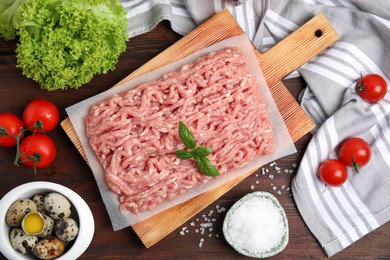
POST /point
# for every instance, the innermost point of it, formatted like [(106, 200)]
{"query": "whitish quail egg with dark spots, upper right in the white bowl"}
[(57, 206)]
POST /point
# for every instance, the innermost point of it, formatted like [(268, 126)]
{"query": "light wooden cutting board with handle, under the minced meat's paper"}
[(285, 57)]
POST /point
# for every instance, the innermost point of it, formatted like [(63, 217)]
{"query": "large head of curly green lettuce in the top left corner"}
[(64, 43)]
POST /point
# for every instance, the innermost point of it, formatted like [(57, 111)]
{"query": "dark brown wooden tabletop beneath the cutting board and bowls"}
[(186, 242)]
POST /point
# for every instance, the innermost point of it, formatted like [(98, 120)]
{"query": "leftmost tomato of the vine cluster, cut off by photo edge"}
[(10, 126)]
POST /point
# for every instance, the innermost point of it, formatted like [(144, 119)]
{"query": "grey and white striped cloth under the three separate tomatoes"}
[(336, 216)]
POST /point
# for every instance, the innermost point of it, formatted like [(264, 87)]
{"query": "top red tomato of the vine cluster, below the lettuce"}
[(41, 113)]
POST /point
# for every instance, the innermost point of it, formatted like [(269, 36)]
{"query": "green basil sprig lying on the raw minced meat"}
[(197, 153)]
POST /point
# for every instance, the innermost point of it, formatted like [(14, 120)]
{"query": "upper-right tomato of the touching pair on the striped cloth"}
[(355, 152)]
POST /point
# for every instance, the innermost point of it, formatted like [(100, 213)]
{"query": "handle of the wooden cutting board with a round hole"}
[(297, 48)]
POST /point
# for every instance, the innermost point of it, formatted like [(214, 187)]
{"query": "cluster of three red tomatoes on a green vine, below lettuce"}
[(33, 147)]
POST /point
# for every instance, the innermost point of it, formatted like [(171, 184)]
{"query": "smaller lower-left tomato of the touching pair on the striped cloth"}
[(333, 172)]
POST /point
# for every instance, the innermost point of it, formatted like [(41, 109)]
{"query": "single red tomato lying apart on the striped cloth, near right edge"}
[(371, 88)]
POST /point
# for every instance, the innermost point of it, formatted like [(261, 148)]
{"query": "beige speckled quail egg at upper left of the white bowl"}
[(18, 210)]
